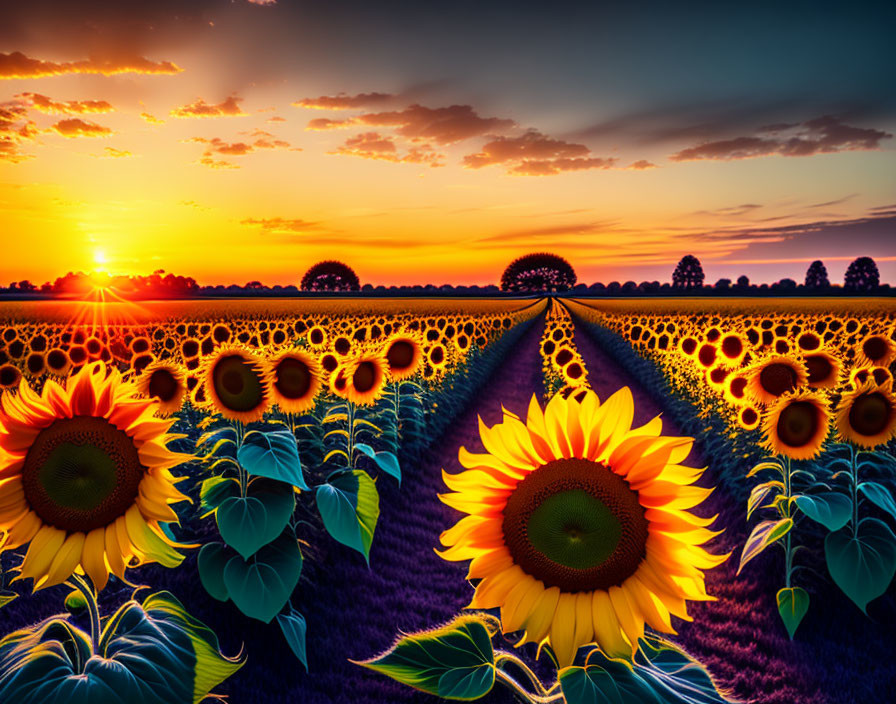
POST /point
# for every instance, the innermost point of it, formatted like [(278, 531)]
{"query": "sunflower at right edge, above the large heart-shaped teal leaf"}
[(866, 416)]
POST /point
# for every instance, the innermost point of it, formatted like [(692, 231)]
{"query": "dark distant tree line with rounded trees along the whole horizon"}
[(533, 274)]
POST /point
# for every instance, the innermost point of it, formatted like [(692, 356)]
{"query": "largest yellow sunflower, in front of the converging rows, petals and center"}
[(578, 527)]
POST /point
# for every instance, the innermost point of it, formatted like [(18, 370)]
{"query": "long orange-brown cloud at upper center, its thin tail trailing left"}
[(446, 125)]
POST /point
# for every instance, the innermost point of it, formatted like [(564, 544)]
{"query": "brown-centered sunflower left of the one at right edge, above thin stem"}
[(797, 424)]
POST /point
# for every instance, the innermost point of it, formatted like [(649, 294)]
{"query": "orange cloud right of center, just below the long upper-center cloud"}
[(536, 154)]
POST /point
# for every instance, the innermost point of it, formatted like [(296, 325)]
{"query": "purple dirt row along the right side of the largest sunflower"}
[(839, 655)]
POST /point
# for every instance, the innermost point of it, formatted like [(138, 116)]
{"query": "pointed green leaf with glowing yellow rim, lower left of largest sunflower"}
[(455, 661)]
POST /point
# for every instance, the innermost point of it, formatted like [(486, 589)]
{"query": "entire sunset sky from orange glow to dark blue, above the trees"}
[(423, 142)]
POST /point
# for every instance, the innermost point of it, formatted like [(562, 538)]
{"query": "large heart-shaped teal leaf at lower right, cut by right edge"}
[(862, 565)]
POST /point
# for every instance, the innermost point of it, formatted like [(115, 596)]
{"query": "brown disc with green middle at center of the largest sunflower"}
[(576, 525)]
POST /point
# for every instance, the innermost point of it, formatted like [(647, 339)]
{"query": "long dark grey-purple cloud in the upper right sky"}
[(823, 135)]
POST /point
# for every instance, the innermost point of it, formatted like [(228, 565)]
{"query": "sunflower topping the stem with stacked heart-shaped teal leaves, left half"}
[(237, 383)]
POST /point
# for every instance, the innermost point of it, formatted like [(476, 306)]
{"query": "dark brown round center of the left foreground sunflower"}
[(81, 473)]
